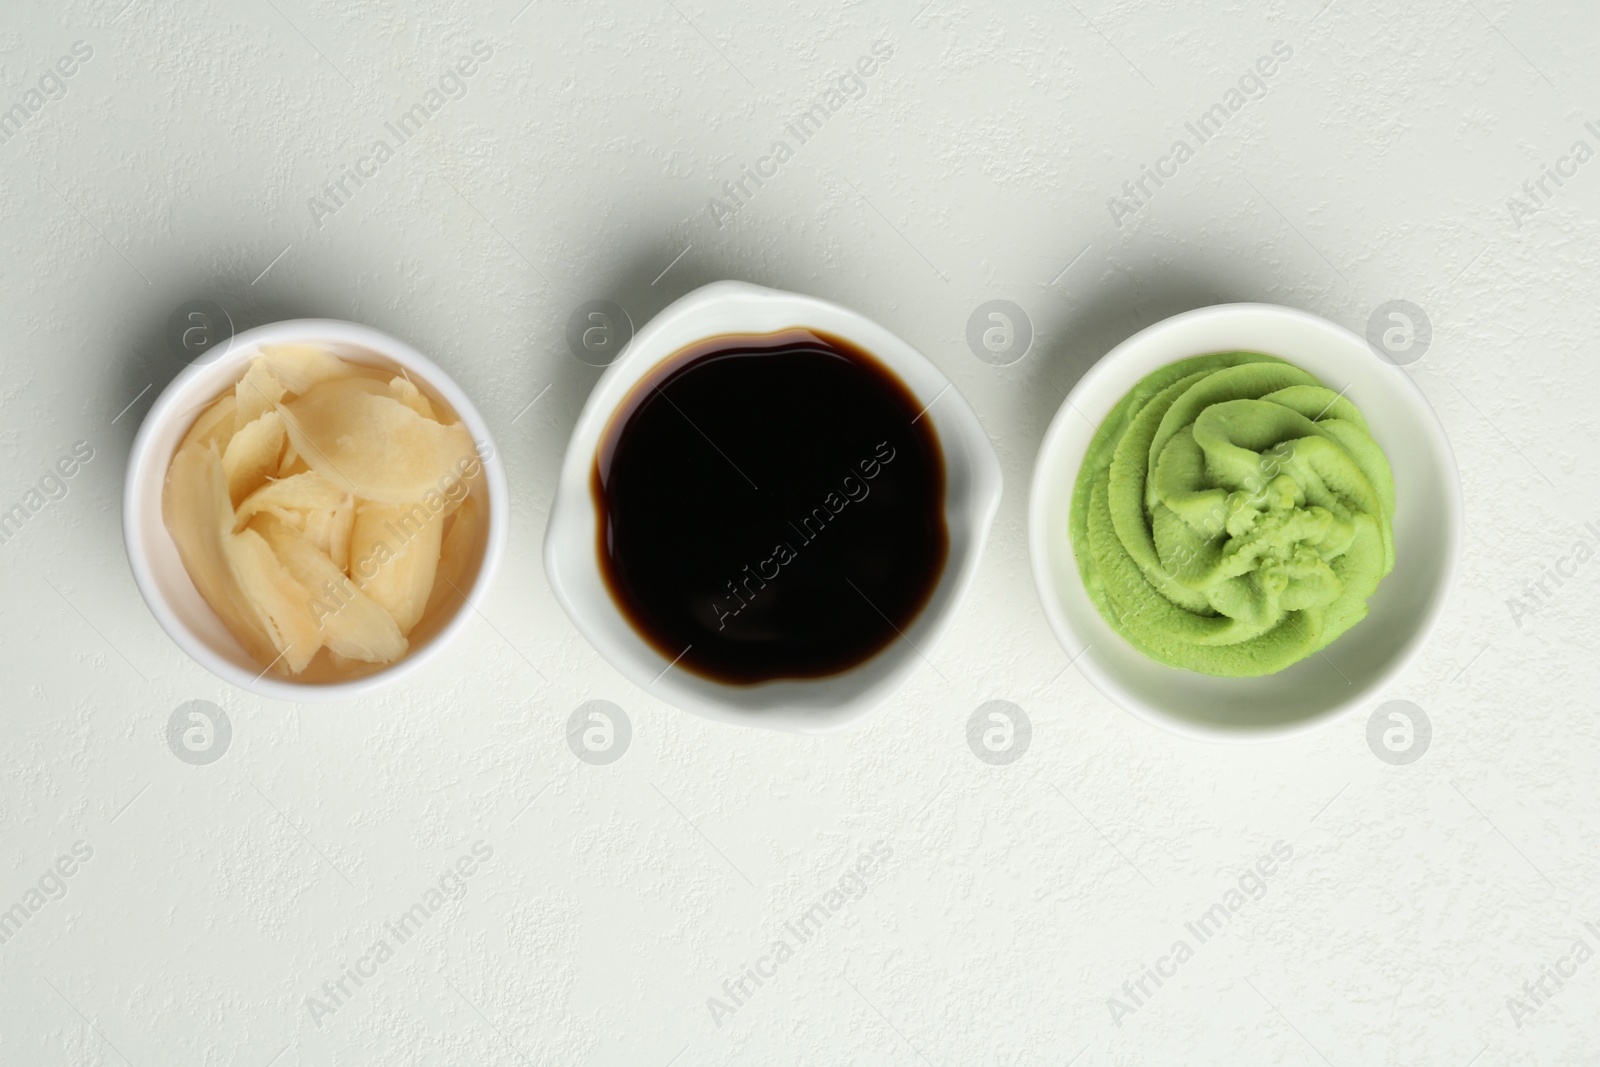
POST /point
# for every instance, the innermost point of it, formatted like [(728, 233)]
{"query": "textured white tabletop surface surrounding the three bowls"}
[(977, 166)]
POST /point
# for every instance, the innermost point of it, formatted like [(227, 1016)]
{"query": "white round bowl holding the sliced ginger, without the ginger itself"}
[(154, 559)]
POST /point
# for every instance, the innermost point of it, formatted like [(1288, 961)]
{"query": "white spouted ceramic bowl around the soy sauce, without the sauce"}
[(799, 706)]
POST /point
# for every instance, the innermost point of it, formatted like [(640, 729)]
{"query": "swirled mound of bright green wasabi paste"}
[(1233, 516)]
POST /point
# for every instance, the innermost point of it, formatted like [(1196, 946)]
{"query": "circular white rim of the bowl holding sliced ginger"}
[(175, 402)]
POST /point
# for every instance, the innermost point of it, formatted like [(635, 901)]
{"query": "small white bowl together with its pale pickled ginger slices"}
[(313, 514)]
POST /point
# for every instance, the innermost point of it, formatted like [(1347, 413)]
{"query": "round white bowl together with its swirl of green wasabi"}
[(1244, 522)]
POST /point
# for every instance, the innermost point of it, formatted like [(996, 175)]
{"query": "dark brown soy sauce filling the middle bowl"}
[(770, 508)]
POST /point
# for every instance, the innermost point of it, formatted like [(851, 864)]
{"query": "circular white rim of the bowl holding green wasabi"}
[(1079, 645)]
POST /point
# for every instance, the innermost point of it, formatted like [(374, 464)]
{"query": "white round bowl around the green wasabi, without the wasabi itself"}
[(1407, 604)]
